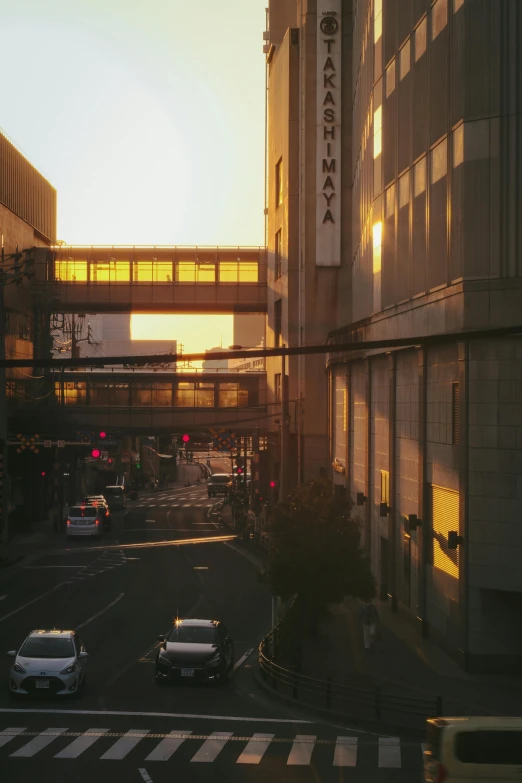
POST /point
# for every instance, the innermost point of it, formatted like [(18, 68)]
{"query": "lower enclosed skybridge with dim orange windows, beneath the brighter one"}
[(144, 401)]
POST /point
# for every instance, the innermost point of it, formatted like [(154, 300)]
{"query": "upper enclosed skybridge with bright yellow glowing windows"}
[(153, 279)]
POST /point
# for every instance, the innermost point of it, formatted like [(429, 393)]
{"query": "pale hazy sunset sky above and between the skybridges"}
[(147, 116)]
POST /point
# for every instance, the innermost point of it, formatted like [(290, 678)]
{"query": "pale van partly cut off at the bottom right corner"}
[(473, 750)]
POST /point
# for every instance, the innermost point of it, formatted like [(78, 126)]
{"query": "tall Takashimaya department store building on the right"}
[(395, 211)]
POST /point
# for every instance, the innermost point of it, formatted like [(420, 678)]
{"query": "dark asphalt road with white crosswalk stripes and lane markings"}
[(120, 594)]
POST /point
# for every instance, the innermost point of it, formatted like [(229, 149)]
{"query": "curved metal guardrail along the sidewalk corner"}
[(354, 703)]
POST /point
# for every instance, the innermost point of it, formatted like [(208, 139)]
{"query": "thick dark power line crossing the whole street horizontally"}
[(330, 347)]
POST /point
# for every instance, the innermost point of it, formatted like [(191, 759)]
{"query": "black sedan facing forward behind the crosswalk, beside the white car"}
[(195, 650)]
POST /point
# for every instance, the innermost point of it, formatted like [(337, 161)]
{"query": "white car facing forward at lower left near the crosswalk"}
[(49, 661)]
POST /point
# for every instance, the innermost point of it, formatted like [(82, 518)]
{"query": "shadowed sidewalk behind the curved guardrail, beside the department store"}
[(403, 664)]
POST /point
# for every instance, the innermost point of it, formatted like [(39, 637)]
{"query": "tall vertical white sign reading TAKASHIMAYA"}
[(328, 181)]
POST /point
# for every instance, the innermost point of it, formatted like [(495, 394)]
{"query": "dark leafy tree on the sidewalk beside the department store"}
[(317, 552)]
